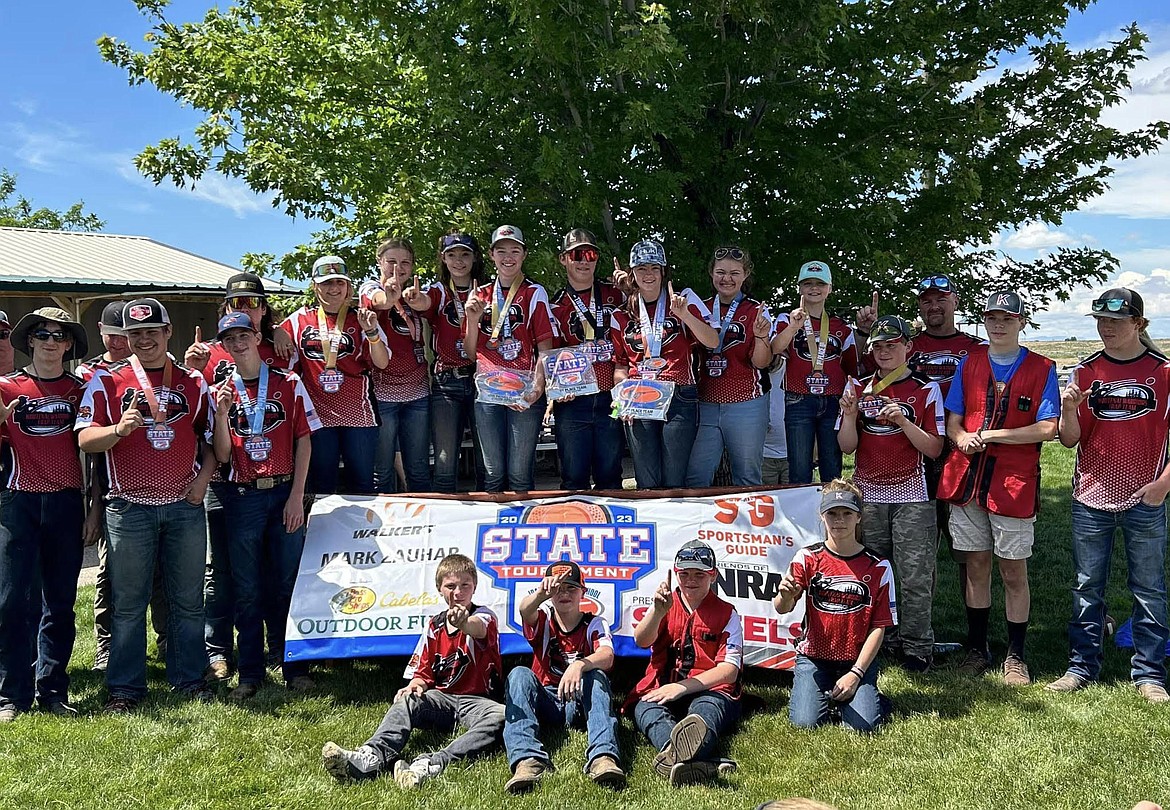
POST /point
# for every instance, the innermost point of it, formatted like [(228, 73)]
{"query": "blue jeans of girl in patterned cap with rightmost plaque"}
[(662, 450)]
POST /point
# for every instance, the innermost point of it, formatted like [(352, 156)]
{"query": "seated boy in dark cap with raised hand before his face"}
[(567, 684)]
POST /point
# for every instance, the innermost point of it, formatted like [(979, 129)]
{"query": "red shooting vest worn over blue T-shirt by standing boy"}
[(1003, 479)]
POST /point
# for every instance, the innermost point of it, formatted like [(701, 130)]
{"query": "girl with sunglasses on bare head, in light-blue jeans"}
[(733, 382)]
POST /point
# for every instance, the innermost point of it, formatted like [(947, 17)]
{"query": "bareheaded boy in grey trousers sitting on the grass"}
[(457, 671)]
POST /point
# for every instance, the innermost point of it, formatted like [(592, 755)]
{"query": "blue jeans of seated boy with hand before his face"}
[(531, 708)]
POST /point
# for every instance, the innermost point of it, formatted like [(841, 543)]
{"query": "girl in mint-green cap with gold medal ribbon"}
[(822, 354)]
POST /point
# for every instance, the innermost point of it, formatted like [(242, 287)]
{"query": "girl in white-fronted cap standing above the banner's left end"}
[(338, 349)]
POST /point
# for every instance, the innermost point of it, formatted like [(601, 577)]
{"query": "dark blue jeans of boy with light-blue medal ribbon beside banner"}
[(259, 546)]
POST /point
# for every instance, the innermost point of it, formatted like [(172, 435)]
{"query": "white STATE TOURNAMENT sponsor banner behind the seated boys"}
[(367, 581)]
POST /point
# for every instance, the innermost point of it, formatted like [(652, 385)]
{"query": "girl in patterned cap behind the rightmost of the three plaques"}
[(653, 337)]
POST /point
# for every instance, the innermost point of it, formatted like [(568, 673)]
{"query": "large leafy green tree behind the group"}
[(890, 138)]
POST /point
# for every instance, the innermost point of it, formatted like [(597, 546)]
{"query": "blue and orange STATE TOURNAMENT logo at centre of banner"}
[(612, 548)]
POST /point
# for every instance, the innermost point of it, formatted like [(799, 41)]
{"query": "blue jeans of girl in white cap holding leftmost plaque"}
[(508, 440)]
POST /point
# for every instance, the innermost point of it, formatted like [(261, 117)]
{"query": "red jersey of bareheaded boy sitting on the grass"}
[(455, 662)]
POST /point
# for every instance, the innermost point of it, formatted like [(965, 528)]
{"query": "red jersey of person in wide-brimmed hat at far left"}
[(40, 448)]
